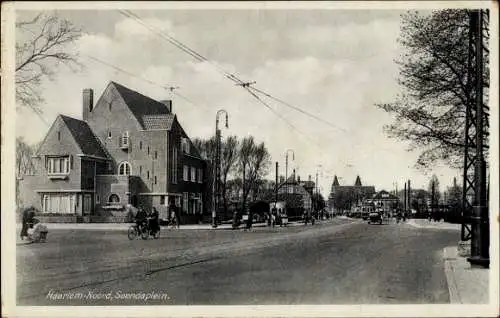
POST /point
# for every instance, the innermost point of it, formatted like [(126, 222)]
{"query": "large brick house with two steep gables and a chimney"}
[(128, 149)]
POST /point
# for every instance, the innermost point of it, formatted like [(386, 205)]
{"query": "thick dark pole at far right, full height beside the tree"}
[(480, 240)]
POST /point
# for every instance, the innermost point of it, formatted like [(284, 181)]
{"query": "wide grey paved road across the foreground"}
[(336, 263)]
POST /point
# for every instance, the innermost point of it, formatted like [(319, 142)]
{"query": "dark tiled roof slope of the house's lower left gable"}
[(84, 137)]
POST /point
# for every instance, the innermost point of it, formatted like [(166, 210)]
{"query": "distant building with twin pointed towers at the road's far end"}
[(348, 196)]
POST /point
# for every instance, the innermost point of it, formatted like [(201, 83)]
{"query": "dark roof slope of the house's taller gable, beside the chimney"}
[(140, 105)]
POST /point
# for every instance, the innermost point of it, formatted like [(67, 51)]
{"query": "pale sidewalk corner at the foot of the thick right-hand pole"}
[(466, 285)]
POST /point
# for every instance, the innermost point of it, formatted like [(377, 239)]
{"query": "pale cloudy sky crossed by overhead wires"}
[(335, 64)]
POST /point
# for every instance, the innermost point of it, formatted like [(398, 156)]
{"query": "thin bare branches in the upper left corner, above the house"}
[(42, 45)]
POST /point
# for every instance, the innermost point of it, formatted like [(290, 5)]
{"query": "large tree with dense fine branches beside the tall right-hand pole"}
[(430, 113)]
